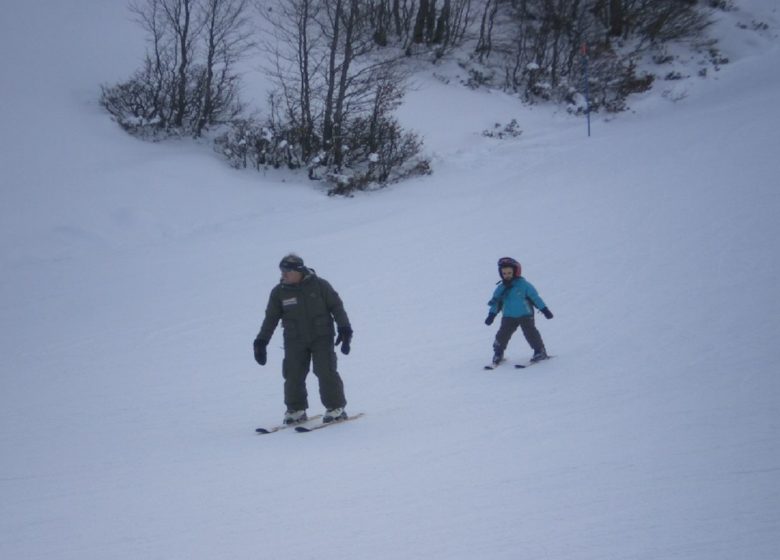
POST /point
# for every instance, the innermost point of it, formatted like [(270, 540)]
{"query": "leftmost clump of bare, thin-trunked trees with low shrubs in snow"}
[(188, 80)]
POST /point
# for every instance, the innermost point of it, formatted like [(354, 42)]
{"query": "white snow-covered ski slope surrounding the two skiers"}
[(135, 276)]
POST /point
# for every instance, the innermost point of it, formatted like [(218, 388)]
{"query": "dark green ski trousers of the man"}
[(322, 356)]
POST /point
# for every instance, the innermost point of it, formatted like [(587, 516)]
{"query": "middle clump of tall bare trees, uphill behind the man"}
[(335, 87)]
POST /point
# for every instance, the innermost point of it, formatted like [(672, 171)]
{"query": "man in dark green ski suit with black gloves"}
[(307, 305)]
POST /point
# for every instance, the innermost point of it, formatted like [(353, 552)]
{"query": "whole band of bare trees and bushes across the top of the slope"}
[(338, 69)]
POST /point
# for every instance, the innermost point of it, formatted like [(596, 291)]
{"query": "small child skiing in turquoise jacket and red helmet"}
[(515, 297)]
